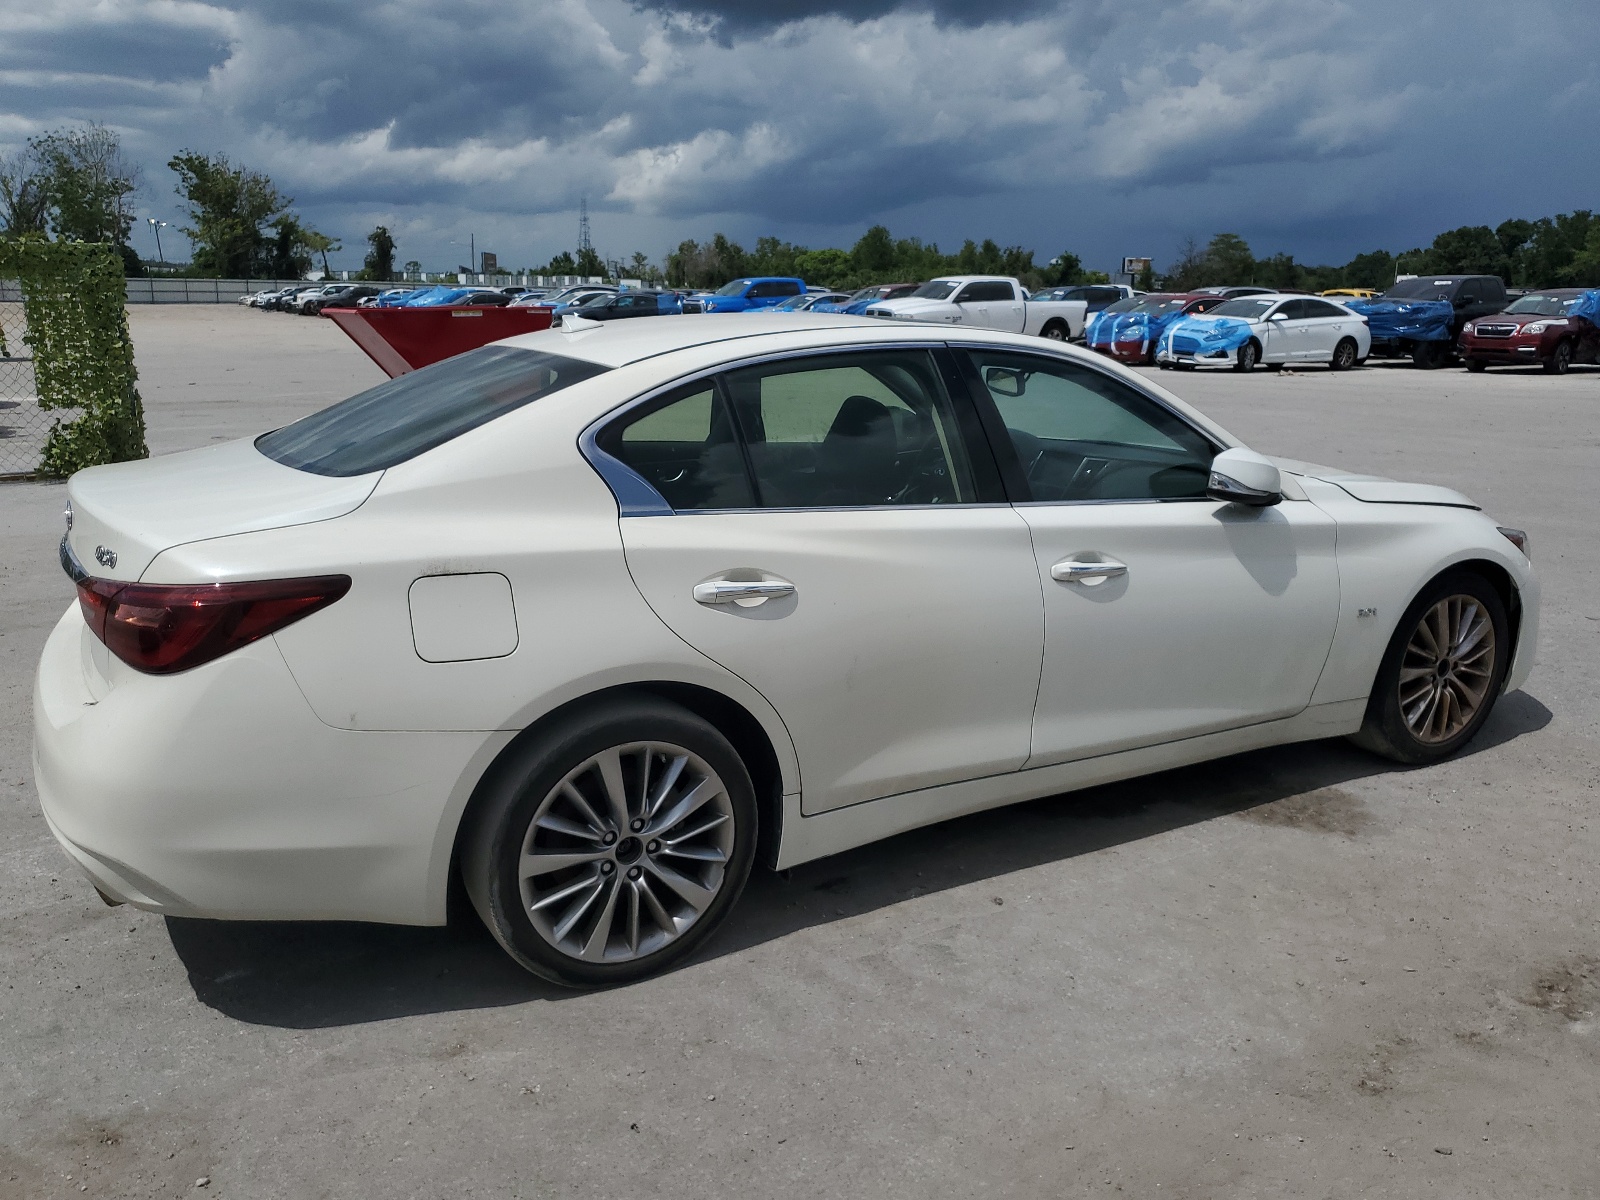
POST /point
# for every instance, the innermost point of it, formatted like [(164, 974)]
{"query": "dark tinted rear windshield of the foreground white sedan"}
[(417, 412)]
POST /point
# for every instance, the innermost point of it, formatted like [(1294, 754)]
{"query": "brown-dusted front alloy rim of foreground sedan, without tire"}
[(1447, 670)]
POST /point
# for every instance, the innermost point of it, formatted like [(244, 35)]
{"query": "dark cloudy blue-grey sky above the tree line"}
[(1105, 127)]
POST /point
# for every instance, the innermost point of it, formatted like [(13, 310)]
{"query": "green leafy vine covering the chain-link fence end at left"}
[(74, 298)]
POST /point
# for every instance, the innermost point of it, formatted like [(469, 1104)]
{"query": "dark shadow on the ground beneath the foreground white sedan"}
[(314, 975)]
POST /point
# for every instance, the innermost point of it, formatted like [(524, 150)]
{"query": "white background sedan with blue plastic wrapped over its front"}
[(1270, 330)]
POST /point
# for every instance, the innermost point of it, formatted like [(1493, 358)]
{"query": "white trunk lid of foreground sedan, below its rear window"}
[(129, 513)]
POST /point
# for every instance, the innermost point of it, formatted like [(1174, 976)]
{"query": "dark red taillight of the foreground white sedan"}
[(167, 628)]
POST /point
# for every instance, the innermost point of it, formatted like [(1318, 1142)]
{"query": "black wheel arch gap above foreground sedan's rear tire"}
[(732, 719)]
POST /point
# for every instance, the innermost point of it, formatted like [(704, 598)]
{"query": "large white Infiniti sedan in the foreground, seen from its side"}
[(596, 618)]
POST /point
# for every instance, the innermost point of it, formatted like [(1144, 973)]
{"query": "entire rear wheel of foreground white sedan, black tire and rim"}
[(658, 881)]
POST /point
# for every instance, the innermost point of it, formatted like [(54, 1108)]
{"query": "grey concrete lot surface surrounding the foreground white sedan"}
[(1294, 974)]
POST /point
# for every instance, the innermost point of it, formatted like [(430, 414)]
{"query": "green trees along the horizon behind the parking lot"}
[(76, 185)]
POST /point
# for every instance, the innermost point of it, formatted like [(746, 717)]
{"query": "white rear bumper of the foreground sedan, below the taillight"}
[(217, 793)]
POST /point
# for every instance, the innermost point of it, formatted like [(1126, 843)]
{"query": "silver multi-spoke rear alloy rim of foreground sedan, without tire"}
[(626, 852)]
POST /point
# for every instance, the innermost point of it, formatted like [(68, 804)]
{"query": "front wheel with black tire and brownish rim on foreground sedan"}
[(1425, 706)]
